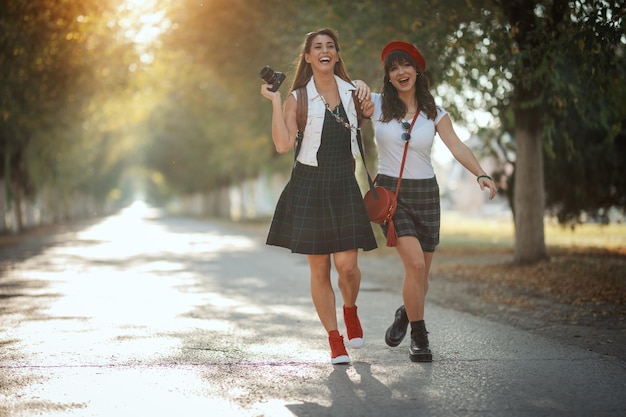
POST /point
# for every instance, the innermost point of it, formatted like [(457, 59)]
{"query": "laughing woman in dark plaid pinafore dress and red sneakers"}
[(321, 212)]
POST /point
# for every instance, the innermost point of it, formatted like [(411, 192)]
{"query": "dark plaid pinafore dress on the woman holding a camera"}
[(321, 210)]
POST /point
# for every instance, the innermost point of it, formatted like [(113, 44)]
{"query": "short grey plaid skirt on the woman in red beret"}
[(419, 210)]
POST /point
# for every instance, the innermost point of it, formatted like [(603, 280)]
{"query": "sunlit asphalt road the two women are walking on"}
[(142, 315)]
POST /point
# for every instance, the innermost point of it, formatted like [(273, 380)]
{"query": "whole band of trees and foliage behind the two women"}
[(169, 90)]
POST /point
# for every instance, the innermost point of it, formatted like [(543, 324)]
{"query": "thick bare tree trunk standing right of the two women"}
[(529, 195)]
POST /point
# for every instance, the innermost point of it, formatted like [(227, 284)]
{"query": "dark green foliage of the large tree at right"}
[(562, 64)]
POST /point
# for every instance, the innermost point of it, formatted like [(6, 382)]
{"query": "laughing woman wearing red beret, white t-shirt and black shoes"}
[(405, 110)]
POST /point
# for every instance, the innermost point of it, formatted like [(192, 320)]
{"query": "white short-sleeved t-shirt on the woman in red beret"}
[(388, 138)]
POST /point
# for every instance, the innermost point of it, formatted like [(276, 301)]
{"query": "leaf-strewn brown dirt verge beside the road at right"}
[(577, 297)]
